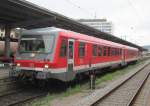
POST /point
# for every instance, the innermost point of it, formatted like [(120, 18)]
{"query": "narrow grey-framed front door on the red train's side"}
[(70, 59)]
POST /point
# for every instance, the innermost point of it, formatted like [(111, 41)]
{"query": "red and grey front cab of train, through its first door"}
[(32, 63)]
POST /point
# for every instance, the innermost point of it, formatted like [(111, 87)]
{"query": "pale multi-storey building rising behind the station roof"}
[(100, 24)]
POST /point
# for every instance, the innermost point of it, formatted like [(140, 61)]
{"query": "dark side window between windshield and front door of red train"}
[(63, 49)]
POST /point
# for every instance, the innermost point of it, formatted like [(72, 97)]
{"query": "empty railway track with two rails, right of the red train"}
[(125, 94)]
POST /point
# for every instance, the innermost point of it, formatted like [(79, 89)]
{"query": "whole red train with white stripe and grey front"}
[(61, 54)]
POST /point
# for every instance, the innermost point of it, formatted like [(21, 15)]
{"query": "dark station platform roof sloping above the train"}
[(23, 14)]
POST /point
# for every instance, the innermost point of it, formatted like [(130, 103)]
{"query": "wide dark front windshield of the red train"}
[(37, 44)]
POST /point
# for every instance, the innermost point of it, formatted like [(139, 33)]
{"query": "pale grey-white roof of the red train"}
[(72, 34)]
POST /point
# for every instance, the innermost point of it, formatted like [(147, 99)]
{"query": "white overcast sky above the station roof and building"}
[(131, 18)]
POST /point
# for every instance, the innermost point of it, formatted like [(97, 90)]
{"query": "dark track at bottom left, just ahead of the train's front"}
[(20, 97)]
